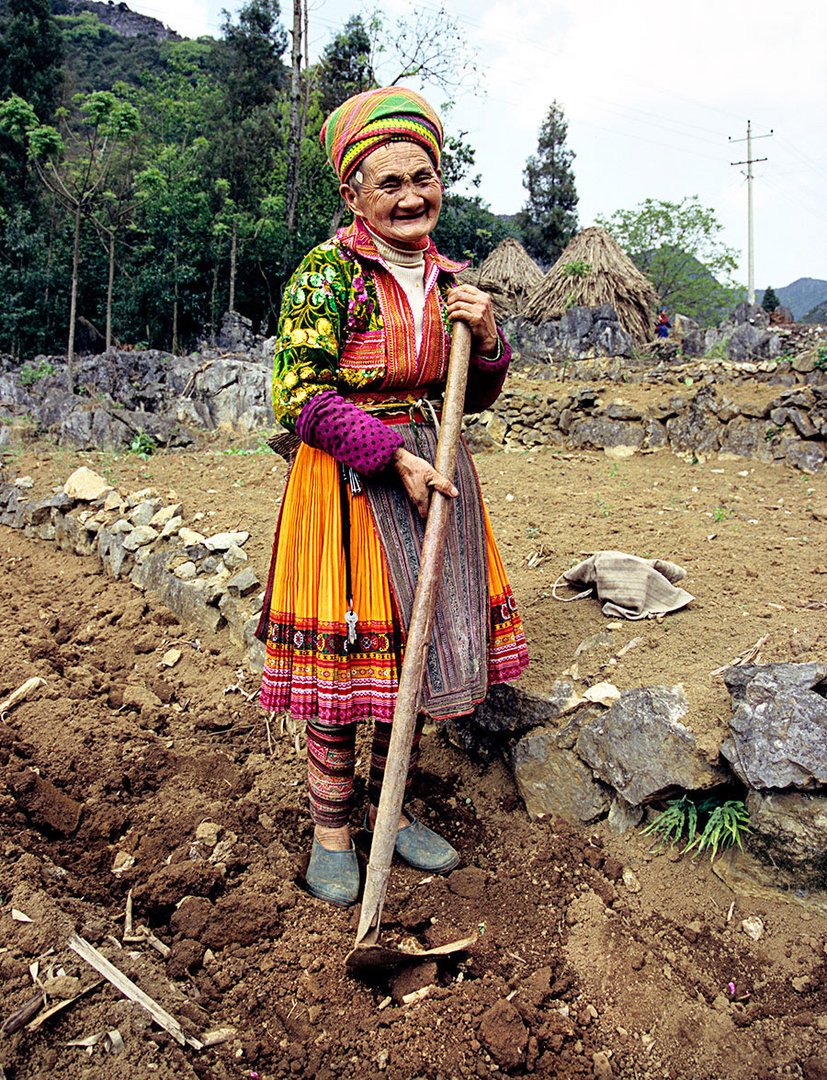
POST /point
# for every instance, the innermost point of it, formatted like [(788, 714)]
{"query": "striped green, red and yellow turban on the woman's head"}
[(370, 120)]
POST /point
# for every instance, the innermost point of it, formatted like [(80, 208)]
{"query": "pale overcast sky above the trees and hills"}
[(652, 93)]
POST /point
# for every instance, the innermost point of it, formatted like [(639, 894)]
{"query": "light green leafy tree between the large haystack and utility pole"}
[(679, 246)]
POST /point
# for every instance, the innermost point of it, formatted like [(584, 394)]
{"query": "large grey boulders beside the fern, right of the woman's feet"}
[(581, 763)]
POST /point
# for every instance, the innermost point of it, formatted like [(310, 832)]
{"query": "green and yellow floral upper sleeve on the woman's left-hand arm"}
[(310, 332)]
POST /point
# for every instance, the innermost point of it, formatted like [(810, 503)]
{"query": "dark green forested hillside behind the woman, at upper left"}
[(153, 177)]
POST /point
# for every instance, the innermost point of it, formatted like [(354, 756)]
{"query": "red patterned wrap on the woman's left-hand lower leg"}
[(332, 762)]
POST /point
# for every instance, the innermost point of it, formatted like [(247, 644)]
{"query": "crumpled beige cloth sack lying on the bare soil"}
[(631, 588)]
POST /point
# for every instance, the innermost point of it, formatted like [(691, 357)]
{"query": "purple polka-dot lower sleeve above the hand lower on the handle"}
[(331, 424)]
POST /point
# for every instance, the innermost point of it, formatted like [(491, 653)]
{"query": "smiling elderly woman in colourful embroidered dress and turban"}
[(361, 359)]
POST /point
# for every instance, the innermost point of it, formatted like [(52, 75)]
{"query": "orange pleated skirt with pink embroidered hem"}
[(308, 670)]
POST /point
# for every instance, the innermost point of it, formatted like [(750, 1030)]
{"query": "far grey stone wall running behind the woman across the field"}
[(572, 403)]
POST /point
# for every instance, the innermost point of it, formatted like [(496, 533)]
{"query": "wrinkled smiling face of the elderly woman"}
[(400, 194)]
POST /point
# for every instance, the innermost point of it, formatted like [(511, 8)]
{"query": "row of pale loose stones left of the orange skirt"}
[(206, 580)]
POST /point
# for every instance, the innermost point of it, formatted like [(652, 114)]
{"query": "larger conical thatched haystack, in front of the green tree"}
[(592, 272)]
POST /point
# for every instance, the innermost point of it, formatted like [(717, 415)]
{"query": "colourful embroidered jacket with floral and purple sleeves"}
[(347, 327)]
